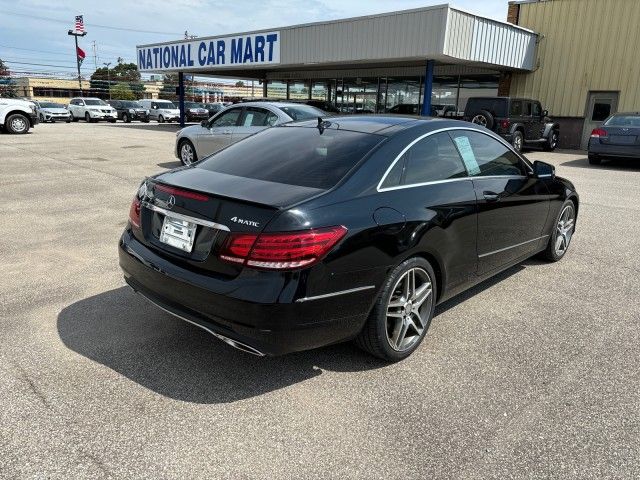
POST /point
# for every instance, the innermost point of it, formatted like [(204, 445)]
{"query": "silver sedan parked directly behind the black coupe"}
[(235, 123)]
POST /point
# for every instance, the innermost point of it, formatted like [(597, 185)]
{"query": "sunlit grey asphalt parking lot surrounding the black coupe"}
[(534, 374)]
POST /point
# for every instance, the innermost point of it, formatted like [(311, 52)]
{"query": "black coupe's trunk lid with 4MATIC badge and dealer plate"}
[(187, 214)]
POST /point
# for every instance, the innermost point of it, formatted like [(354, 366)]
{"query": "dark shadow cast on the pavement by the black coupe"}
[(124, 332)]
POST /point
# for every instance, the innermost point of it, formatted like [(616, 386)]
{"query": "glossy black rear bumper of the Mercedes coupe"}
[(228, 307)]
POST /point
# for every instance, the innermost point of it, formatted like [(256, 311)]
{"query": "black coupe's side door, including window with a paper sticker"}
[(512, 205)]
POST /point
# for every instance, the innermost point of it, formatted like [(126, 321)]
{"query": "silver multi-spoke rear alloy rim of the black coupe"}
[(408, 309)]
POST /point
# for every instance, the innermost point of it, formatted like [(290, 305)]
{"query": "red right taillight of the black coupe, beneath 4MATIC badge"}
[(281, 251)]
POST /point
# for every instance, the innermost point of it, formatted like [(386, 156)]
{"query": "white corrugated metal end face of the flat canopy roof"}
[(479, 39)]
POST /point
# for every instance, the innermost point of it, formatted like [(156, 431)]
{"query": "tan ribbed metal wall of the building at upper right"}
[(586, 45)]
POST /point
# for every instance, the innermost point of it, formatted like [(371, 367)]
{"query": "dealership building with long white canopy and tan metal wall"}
[(561, 52)]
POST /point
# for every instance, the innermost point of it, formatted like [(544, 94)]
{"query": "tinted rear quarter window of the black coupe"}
[(432, 158)]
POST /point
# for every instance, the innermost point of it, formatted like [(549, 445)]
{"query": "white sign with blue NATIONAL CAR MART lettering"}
[(252, 49)]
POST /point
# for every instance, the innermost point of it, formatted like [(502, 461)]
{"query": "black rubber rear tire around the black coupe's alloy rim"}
[(374, 337)]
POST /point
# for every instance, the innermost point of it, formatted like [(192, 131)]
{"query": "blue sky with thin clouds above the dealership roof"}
[(34, 31)]
